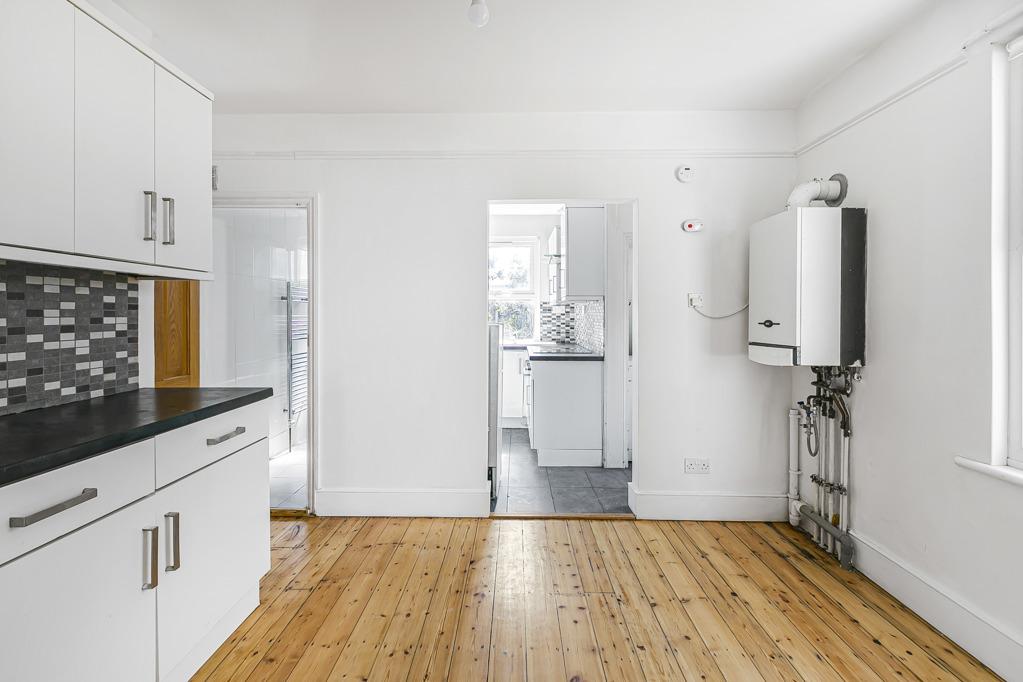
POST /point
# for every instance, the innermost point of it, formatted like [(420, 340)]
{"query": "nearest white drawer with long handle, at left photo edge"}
[(118, 478)]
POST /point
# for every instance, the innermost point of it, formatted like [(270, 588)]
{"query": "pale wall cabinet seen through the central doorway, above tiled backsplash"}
[(584, 254)]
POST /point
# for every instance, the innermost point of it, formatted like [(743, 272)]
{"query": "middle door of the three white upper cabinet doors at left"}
[(114, 146)]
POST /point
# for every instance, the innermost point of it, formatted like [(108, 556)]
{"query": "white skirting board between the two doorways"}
[(408, 503)]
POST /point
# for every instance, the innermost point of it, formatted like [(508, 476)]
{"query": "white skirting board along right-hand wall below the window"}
[(994, 644)]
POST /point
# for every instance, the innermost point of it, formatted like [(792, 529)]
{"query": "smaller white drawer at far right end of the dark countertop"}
[(191, 448)]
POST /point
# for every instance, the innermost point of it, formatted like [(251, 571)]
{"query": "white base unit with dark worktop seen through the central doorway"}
[(567, 408)]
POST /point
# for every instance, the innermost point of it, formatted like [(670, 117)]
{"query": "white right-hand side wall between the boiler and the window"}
[(942, 538)]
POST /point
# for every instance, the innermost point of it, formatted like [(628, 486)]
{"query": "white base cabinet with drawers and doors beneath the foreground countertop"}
[(146, 590)]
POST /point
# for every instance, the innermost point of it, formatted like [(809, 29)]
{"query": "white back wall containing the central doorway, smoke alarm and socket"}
[(403, 374)]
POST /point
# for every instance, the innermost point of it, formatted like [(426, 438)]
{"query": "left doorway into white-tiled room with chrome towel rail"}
[(257, 323)]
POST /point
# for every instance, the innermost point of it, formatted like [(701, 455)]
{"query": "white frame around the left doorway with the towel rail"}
[(309, 202)]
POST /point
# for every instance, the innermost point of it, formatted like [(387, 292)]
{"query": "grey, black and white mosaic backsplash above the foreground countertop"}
[(66, 335)]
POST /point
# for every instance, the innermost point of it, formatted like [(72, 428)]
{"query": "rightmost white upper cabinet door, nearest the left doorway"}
[(185, 158)]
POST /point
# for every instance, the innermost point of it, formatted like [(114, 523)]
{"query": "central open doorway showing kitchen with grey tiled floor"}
[(558, 351)]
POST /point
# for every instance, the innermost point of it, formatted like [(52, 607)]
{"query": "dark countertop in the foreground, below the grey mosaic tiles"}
[(39, 441)]
